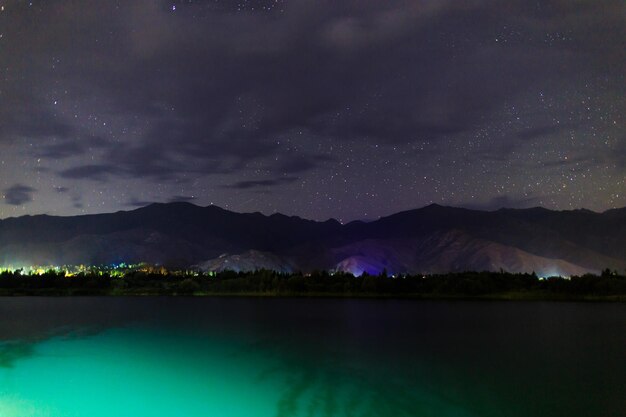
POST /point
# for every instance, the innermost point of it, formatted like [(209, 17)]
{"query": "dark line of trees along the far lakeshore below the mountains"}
[(608, 284)]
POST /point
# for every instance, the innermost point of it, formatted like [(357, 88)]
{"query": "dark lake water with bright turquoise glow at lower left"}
[(152, 357)]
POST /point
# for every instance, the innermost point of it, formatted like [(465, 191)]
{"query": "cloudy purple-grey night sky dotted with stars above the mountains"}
[(341, 108)]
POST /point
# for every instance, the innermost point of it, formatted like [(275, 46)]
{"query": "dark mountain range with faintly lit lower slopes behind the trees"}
[(432, 239)]
